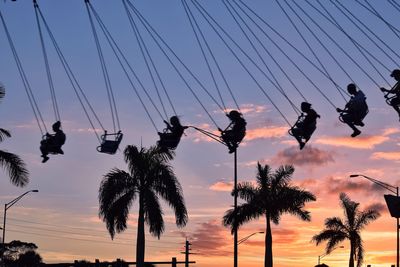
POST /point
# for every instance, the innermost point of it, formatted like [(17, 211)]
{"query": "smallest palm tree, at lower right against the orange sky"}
[(336, 230)]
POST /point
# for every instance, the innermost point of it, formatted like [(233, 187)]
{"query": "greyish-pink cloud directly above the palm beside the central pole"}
[(307, 156)]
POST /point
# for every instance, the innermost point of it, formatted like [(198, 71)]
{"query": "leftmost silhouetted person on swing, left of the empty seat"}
[(52, 142)]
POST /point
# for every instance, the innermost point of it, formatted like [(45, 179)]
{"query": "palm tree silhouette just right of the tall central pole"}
[(272, 196)]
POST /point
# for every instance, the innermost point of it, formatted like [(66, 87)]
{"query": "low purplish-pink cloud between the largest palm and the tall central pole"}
[(210, 238)]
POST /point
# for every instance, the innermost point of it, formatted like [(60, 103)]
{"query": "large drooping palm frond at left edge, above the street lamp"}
[(15, 167)]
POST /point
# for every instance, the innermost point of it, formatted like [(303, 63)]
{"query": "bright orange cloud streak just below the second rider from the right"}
[(361, 142)]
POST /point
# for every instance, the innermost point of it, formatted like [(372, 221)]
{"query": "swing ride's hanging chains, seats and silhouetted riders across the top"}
[(257, 57)]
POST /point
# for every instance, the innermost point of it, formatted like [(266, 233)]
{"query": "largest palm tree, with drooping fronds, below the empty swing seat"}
[(150, 177)]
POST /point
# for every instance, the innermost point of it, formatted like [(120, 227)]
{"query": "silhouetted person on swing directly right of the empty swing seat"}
[(170, 137)]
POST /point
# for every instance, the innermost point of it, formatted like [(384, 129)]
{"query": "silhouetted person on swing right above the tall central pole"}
[(235, 132)]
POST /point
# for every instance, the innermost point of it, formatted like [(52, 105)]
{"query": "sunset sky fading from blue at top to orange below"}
[(62, 218)]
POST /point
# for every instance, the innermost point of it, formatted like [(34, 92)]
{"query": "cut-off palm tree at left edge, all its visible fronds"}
[(12, 163)]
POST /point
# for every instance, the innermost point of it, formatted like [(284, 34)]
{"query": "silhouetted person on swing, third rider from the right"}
[(305, 125)]
